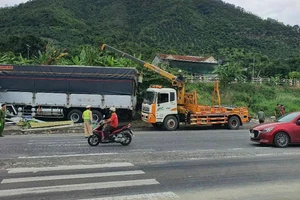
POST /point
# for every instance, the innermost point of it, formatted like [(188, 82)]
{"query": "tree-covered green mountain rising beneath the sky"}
[(194, 27)]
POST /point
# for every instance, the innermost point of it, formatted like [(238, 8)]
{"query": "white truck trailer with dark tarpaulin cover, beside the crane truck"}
[(64, 91)]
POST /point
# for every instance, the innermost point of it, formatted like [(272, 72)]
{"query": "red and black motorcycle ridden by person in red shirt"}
[(122, 134)]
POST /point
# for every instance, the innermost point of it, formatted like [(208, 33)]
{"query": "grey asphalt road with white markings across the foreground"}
[(192, 164)]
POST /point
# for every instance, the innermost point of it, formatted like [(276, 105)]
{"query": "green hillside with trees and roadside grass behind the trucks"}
[(248, 44)]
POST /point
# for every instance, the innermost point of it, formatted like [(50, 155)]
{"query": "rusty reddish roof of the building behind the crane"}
[(209, 59)]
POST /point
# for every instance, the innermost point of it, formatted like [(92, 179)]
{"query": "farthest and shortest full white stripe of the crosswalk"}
[(68, 167)]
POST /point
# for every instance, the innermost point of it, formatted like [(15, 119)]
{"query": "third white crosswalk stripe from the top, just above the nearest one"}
[(77, 187)]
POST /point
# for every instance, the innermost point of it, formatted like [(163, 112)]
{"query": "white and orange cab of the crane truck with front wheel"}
[(158, 105)]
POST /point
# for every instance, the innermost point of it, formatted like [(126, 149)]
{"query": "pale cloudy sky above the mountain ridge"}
[(286, 11)]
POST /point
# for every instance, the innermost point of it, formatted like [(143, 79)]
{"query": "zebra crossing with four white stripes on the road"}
[(116, 179)]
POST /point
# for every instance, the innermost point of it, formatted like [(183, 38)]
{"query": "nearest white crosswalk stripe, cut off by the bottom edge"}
[(150, 196)]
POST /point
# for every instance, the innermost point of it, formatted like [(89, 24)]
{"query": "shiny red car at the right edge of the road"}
[(285, 131)]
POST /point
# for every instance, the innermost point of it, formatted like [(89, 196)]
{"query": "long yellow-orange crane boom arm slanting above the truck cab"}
[(149, 66)]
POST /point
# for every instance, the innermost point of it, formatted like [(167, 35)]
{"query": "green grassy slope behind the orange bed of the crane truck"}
[(253, 96)]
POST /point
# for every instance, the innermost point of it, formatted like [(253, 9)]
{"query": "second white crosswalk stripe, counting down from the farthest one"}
[(76, 176)]
